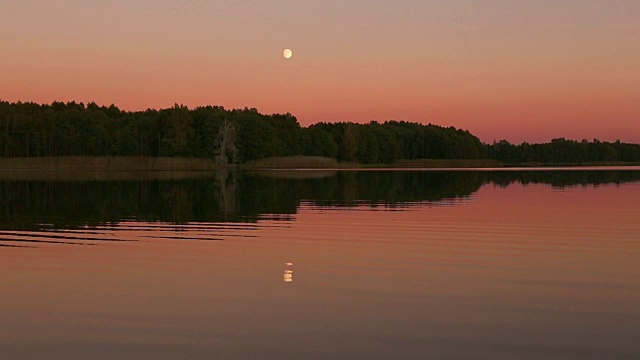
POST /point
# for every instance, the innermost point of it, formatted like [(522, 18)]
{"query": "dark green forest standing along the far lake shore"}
[(243, 135)]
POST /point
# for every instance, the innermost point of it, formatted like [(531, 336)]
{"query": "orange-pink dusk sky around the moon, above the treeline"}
[(526, 70)]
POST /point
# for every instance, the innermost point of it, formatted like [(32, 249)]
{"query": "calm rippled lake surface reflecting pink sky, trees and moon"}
[(319, 265)]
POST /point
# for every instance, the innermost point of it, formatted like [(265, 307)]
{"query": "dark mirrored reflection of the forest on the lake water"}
[(244, 197)]
